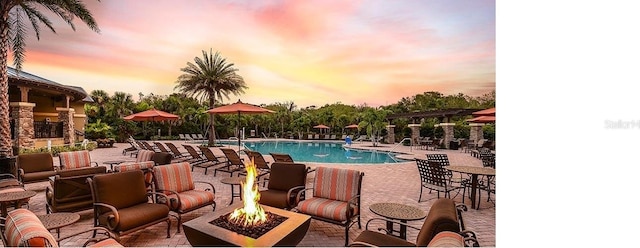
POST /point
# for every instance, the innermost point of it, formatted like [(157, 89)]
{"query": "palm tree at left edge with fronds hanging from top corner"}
[(13, 31)]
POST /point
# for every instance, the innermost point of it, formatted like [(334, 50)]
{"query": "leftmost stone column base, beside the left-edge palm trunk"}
[(22, 113)]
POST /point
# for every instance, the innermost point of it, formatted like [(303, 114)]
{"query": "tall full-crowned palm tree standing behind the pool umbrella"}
[(210, 78)]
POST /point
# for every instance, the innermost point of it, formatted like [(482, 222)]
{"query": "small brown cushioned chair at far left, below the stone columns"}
[(35, 167)]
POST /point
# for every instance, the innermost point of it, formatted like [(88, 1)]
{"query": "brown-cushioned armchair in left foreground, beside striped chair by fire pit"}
[(124, 213)]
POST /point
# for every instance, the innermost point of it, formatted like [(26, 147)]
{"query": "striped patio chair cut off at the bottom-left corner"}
[(22, 228)]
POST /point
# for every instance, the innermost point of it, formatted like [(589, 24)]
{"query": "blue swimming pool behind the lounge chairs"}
[(322, 152)]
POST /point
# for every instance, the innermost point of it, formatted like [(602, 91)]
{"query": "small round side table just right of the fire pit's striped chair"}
[(400, 212)]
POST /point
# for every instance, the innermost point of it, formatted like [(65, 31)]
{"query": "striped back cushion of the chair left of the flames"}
[(176, 177)]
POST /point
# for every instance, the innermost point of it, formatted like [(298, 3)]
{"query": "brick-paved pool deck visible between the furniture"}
[(399, 183)]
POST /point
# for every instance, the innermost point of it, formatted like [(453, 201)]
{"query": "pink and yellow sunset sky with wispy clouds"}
[(308, 52)]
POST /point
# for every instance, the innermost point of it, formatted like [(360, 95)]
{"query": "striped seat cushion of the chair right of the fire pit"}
[(327, 208)]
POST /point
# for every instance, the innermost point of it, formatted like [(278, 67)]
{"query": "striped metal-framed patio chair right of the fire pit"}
[(335, 199)]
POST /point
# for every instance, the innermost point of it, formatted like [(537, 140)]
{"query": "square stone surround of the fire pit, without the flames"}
[(200, 232)]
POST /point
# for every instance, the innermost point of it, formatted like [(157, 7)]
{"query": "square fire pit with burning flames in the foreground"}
[(249, 225)]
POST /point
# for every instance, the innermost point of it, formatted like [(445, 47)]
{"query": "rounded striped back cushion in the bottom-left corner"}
[(23, 228)]
